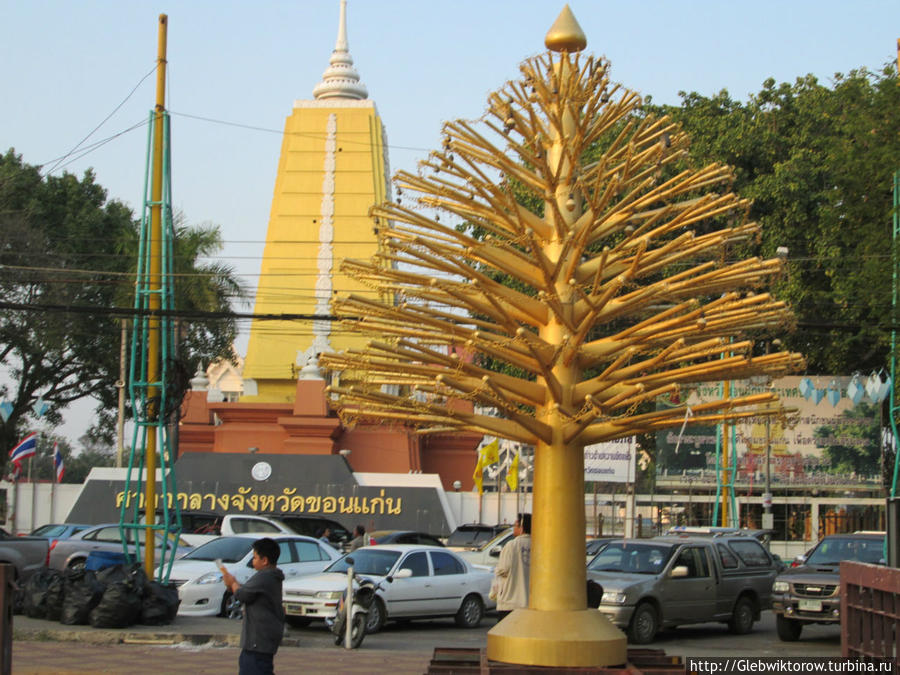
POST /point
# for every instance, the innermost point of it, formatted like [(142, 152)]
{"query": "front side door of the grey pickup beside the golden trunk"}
[(690, 598)]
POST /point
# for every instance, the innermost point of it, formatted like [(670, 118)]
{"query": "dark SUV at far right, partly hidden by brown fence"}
[(809, 593)]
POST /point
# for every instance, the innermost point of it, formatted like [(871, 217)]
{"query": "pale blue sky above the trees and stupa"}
[(67, 65)]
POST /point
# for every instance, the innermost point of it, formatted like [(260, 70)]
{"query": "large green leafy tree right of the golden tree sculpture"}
[(817, 162)]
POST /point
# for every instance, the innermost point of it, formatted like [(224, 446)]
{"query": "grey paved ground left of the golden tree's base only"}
[(209, 645)]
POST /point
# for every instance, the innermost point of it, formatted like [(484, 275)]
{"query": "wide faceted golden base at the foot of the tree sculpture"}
[(557, 638)]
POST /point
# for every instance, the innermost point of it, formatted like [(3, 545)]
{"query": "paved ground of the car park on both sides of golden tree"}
[(209, 645)]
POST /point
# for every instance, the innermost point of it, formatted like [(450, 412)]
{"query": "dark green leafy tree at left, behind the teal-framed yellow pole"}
[(67, 262)]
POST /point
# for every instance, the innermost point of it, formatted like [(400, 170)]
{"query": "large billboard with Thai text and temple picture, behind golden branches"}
[(830, 434)]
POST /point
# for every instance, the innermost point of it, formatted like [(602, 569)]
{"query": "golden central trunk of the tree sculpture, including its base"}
[(558, 628)]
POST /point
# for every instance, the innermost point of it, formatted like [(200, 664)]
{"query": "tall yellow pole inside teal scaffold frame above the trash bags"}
[(155, 300)]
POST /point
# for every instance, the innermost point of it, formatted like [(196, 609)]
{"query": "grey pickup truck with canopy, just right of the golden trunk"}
[(648, 584)]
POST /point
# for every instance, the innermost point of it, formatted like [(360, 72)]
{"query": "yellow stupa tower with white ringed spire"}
[(331, 171)]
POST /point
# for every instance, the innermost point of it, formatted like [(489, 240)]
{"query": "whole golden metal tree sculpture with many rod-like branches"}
[(556, 237)]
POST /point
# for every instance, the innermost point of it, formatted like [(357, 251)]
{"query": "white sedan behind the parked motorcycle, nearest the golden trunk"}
[(438, 583)]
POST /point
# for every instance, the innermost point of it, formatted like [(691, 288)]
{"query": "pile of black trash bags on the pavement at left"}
[(115, 597)]
